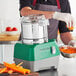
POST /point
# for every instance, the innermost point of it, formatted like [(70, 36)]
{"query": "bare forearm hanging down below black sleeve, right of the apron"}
[(66, 37)]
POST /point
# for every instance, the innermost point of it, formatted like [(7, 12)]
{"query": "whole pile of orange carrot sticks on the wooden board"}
[(10, 68)]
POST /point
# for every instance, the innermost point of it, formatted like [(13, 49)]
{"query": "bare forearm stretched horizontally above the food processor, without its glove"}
[(28, 11)]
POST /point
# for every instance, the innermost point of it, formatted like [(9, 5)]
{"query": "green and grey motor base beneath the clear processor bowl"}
[(38, 56)]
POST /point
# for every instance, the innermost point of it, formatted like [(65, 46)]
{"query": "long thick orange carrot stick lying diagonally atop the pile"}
[(16, 69)]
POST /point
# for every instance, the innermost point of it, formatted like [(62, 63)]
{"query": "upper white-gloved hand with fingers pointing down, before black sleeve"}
[(66, 17)]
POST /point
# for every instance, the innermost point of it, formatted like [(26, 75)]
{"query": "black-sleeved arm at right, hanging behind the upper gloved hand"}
[(65, 34)]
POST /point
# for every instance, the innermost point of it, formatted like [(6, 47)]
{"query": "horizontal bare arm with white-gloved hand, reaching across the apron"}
[(66, 17)]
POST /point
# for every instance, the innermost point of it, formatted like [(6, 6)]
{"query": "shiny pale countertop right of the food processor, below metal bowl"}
[(67, 67)]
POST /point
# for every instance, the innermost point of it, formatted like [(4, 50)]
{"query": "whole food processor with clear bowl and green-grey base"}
[(35, 50)]
